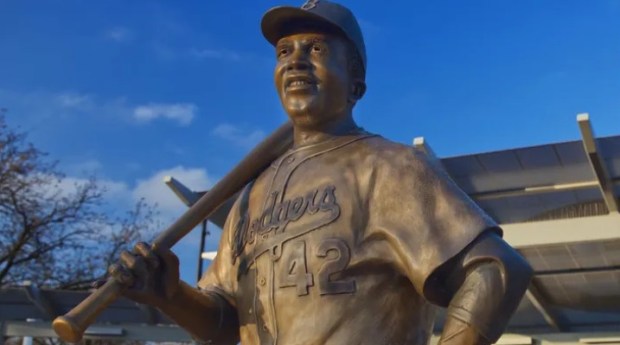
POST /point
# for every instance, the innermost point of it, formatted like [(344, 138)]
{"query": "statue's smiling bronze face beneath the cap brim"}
[(312, 78)]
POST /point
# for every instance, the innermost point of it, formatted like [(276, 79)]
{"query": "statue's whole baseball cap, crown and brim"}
[(320, 12)]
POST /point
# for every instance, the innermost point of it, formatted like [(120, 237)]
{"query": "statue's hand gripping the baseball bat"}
[(150, 277)]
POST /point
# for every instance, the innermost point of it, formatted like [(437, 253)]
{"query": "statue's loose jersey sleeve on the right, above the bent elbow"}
[(424, 217)]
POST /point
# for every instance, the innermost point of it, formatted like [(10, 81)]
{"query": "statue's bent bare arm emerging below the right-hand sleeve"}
[(488, 280)]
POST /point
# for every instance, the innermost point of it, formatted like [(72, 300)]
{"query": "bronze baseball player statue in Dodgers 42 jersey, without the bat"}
[(347, 238)]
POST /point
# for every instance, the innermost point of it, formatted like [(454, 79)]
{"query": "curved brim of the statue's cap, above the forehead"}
[(275, 20)]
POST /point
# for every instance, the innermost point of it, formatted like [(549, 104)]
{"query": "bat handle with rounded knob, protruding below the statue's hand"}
[(71, 326)]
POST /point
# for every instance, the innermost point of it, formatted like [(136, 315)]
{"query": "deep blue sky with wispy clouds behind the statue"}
[(133, 91)]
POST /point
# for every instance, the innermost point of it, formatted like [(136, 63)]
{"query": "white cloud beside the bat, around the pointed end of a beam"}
[(154, 190)]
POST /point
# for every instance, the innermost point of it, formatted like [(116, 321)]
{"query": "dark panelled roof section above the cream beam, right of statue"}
[(570, 179)]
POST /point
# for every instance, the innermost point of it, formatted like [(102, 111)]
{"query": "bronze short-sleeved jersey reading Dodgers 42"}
[(333, 244)]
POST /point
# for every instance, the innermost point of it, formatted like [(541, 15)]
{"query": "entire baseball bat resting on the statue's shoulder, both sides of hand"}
[(71, 326)]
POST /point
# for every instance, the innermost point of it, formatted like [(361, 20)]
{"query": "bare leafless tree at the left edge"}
[(54, 233)]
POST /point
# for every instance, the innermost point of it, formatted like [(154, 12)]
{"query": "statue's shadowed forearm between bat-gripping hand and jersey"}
[(206, 316)]
